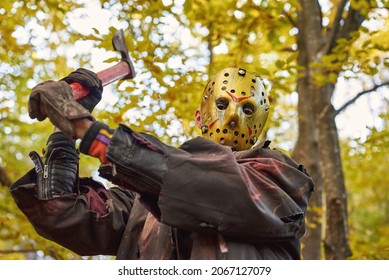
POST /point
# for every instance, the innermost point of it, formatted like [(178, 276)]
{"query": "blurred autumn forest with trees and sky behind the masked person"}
[(324, 63)]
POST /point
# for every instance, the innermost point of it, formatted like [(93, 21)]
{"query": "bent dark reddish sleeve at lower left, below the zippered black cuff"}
[(90, 222)]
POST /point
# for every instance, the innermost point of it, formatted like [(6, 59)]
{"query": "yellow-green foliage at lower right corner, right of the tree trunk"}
[(365, 165)]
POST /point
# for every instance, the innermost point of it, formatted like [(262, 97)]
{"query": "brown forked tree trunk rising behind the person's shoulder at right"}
[(318, 138)]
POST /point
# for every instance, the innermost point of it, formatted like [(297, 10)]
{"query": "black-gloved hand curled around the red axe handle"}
[(89, 80)]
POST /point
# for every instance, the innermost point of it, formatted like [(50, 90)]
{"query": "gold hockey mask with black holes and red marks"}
[(234, 108)]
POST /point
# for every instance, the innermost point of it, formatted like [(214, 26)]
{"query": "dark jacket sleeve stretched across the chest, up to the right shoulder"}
[(202, 186)]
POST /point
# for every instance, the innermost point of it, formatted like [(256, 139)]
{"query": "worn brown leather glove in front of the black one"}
[(55, 100)]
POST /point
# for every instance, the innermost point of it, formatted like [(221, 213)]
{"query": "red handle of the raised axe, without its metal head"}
[(107, 76)]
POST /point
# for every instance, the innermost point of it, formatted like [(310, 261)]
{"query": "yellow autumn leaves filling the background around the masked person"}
[(176, 46)]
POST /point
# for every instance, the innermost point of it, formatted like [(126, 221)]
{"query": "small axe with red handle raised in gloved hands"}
[(121, 71)]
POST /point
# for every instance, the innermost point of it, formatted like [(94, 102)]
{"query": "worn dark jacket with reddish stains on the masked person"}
[(198, 201)]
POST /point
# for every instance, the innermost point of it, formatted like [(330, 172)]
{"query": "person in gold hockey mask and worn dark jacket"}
[(218, 196)]
